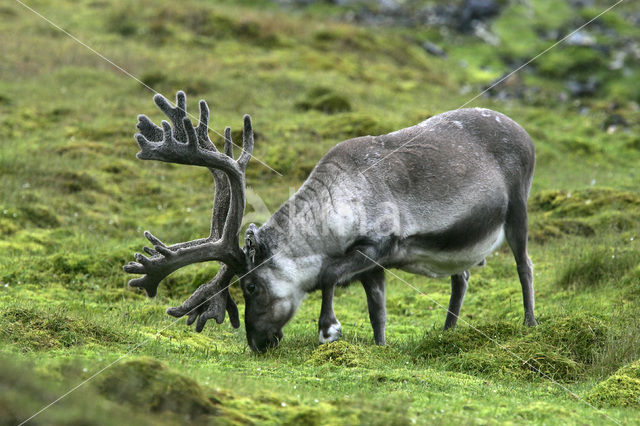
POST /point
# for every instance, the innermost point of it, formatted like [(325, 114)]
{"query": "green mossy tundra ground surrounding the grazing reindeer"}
[(73, 196)]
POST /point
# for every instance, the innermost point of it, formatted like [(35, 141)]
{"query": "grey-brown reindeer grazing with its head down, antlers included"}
[(434, 199)]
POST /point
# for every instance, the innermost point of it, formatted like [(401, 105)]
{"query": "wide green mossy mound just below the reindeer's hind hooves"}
[(561, 348)]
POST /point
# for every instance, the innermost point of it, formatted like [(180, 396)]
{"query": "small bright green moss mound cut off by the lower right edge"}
[(622, 389)]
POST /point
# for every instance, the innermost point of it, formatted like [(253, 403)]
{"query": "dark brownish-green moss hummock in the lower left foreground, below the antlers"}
[(148, 385)]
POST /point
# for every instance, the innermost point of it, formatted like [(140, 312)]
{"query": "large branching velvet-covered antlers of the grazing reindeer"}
[(191, 146)]
